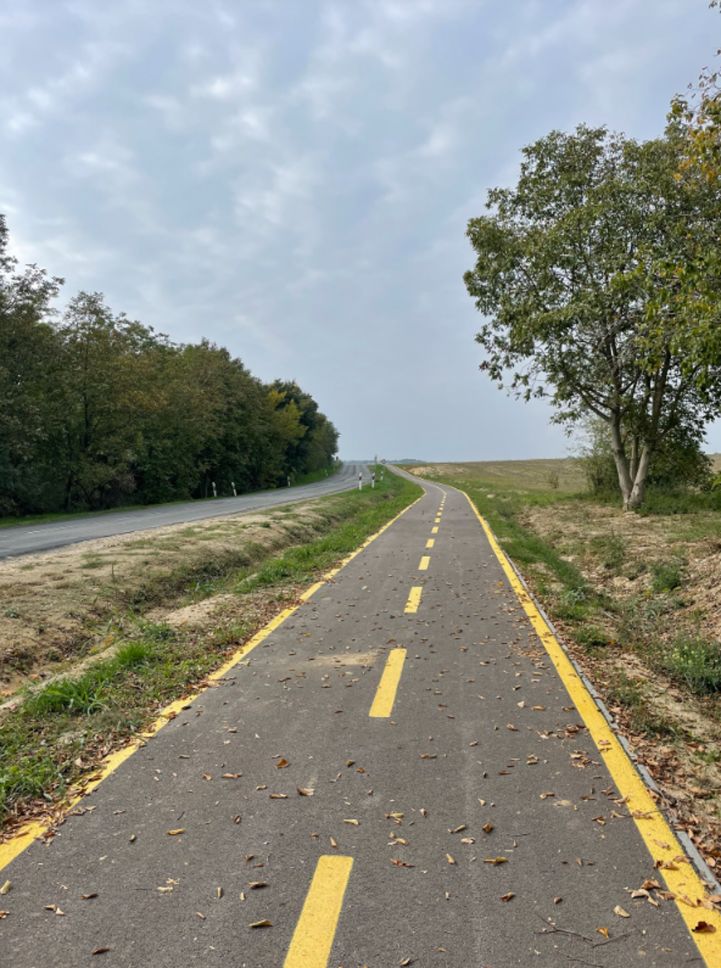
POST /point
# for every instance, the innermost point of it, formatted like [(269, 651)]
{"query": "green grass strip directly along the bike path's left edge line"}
[(60, 730)]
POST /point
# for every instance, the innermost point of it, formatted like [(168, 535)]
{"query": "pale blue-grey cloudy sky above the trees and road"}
[(292, 178)]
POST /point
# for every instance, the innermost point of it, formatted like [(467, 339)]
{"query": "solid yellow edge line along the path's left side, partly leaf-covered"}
[(20, 841)]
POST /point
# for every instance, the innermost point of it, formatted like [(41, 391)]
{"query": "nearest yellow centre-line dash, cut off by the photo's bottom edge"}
[(313, 937)]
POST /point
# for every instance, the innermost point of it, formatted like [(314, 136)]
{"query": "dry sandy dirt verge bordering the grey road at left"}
[(60, 606)]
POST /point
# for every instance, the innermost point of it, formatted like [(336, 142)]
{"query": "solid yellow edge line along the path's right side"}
[(680, 876)]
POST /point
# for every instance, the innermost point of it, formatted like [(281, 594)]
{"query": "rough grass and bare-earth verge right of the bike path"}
[(637, 597)]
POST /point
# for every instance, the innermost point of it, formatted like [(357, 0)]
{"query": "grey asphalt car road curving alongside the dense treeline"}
[(32, 538)]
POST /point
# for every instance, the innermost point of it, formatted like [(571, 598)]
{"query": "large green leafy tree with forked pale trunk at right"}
[(581, 273)]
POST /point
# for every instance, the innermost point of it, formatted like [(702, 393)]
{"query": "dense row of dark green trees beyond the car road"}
[(97, 410)]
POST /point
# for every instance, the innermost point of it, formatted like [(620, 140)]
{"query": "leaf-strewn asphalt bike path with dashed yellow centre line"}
[(424, 767)]
